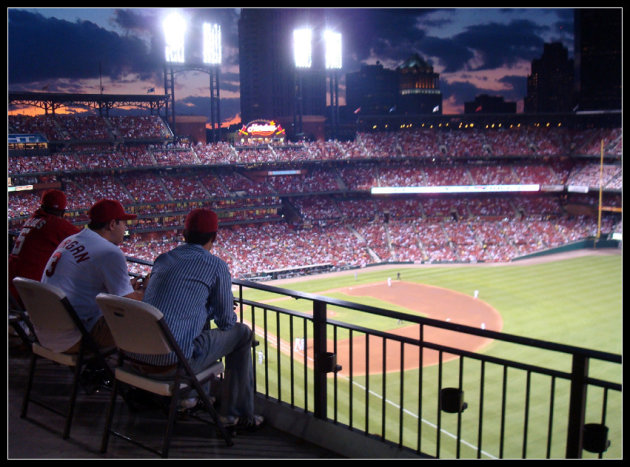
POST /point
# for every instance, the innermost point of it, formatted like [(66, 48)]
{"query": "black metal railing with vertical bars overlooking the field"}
[(466, 404)]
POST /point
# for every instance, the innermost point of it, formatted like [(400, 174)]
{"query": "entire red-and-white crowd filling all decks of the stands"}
[(334, 219)]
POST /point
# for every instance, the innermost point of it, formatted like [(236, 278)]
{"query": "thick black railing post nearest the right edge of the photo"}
[(577, 406)]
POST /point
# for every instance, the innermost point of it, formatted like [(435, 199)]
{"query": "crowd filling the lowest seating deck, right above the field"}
[(353, 233)]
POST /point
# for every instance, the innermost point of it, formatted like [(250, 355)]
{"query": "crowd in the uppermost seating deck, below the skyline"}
[(422, 144)]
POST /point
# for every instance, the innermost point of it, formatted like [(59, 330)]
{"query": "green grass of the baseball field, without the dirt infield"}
[(575, 301)]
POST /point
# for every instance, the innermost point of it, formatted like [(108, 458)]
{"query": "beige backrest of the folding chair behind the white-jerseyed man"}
[(50, 313)]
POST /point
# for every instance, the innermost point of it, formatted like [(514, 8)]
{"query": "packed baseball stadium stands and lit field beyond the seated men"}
[(478, 317)]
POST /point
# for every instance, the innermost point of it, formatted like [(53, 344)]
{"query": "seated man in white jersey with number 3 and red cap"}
[(88, 263)]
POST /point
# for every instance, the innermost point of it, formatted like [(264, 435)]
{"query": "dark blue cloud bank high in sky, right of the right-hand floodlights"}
[(395, 34)]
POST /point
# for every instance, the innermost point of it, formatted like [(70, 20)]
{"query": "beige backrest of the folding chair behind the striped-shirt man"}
[(134, 325)]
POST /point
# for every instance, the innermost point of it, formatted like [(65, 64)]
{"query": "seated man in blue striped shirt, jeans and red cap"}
[(191, 286)]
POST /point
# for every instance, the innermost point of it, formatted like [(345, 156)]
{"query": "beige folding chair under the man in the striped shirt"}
[(139, 328)]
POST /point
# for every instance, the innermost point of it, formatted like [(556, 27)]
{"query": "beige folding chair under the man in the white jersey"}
[(50, 311)]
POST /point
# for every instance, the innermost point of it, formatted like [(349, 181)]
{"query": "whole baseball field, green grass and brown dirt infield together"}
[(573, 299)]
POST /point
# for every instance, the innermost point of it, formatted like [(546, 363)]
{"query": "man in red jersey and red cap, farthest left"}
[(40, 235)]
